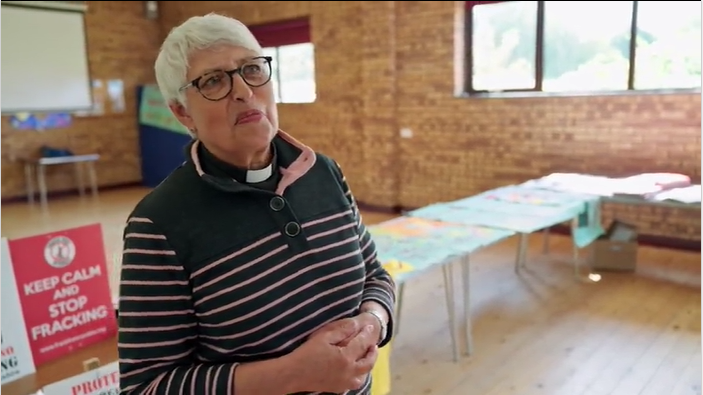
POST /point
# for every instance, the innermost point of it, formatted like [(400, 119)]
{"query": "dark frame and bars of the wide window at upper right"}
[(469, 91)]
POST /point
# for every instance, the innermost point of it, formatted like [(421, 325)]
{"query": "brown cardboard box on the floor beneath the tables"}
[(616, 250)]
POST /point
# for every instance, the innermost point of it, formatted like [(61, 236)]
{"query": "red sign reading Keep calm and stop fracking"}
[(64, 289)]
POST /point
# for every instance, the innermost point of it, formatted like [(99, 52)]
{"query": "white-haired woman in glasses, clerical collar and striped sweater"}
[(248, 270)]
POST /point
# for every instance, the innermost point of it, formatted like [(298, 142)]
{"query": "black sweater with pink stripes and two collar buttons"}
[(216, 273)]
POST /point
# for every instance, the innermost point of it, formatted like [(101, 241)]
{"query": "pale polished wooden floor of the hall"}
[(536, 333)]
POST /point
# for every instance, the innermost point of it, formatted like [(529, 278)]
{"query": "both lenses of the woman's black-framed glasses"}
[(218, 84)]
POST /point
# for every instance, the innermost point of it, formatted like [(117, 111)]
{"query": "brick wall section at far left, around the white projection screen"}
[(122, 44)]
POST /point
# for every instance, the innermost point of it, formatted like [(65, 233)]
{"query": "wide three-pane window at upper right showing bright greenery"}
[(582, 46)]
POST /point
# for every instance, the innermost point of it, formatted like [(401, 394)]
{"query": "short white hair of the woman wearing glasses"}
[(198, 32)]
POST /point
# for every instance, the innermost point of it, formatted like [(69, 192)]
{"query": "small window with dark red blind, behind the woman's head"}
[(293, 66)]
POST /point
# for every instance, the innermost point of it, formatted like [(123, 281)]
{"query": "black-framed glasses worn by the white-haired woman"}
[(216, 85)]
